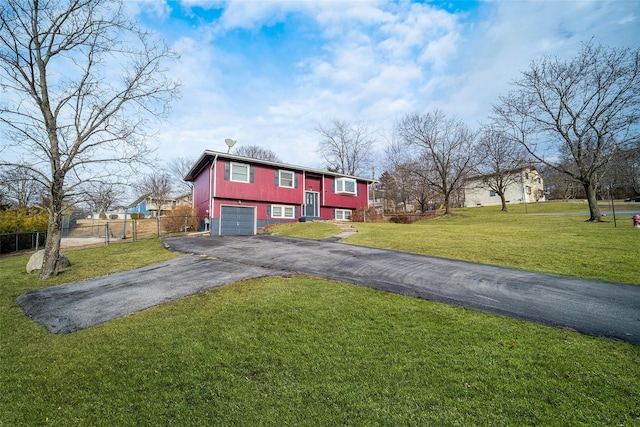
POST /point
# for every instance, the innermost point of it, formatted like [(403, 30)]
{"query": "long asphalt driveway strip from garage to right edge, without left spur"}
[(592, 307)]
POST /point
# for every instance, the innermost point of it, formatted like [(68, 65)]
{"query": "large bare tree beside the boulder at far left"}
[(81, 80)]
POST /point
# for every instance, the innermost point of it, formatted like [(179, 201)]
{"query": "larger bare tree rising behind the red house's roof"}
[(346, 148)]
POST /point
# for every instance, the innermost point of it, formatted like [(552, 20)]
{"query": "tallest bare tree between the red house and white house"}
[(445, 151)]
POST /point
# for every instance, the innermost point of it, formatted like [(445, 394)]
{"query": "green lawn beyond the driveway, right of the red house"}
[(541, 240)]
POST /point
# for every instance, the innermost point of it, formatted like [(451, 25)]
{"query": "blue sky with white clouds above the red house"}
[(269, 72)]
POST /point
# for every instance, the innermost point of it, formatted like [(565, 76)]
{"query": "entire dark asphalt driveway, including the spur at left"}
[(592, 307)]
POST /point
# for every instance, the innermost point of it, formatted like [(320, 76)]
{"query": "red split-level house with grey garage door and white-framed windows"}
[(235, 195)]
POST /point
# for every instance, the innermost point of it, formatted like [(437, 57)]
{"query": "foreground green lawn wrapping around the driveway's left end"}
[(301, 351)]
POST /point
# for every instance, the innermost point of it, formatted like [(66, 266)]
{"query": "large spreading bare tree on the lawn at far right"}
[(588, 106)]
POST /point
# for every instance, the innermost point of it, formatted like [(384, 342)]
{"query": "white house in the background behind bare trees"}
[(525, 186)]
